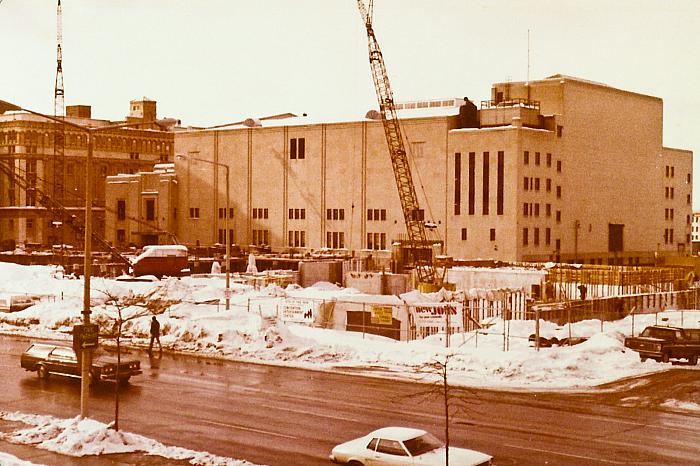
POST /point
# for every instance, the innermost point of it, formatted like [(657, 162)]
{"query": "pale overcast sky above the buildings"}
[(214, 61)]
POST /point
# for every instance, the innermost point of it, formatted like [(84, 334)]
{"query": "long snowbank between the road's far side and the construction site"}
[(253, 330)]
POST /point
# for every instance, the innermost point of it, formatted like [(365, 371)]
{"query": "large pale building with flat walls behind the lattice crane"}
[(556, 169)]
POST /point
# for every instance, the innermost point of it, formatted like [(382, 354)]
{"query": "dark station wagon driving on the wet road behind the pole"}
[(47, 359)]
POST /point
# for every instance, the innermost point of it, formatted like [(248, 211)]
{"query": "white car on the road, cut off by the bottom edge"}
[(403, 445)]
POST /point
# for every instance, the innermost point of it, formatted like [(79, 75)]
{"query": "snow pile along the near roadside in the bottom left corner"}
[(81, 437)]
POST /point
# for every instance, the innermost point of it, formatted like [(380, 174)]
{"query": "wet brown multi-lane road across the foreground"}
[(285, 416)]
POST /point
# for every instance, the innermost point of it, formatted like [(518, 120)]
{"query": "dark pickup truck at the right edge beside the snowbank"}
[(663, 343)]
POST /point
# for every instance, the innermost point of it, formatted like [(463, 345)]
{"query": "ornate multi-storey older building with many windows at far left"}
[(27, 149)]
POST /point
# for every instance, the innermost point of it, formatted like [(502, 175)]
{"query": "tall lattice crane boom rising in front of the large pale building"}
[(420, 253)]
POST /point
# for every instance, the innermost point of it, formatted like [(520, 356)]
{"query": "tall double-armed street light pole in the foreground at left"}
[(87, 261)]
